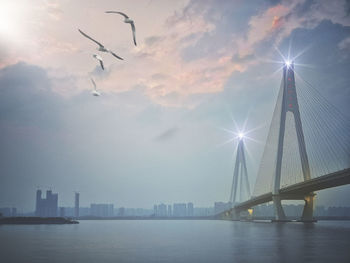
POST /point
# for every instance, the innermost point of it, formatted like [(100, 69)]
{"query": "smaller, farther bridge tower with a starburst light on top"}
[(240, 175)]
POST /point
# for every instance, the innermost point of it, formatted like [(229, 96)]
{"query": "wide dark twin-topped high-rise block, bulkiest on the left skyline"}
[(46, 207)]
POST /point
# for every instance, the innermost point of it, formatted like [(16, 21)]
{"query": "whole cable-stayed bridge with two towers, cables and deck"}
[(307, 150)]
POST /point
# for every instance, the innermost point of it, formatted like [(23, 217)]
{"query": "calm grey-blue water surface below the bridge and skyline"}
[(176, 241)]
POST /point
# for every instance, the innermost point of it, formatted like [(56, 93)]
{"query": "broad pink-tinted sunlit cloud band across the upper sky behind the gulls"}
[(193, 51)]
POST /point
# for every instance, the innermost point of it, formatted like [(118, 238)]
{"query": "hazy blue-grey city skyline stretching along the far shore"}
[(49, 207)]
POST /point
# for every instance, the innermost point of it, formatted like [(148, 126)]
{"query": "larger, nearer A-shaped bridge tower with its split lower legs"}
[(290, 104)]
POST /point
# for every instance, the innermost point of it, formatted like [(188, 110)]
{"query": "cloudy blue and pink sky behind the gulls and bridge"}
[(160, 132)]
